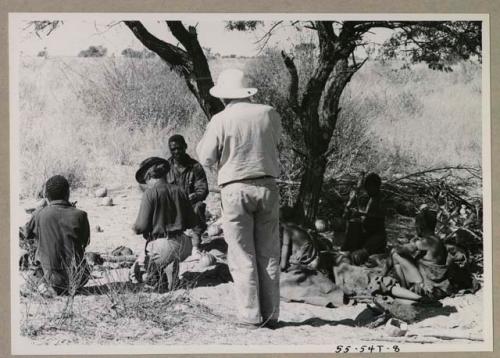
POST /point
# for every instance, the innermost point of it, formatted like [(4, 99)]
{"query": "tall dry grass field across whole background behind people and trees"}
[(85, 118)]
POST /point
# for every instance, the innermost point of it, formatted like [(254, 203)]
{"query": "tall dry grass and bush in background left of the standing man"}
[(79, 117)]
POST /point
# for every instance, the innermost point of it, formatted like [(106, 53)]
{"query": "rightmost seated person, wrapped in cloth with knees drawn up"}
[(421, 267)]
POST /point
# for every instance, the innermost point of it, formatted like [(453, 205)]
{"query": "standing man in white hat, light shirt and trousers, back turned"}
[(242, 142)]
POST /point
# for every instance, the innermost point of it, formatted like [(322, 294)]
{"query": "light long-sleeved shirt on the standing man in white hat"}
[(242, 142)]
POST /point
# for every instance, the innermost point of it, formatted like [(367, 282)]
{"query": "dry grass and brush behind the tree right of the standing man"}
[(392, 119)]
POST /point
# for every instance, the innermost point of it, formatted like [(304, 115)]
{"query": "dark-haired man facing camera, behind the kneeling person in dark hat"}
[(188, 174)]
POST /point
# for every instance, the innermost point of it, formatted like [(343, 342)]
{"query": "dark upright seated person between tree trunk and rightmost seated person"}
[(373, 238)]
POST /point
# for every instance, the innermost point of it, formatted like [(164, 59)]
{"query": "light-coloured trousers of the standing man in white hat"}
[(250, 223)]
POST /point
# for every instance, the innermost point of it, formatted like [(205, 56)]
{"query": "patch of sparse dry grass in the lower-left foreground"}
[(110, 309)]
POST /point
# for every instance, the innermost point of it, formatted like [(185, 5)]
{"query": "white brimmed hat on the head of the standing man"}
[(232, 84)]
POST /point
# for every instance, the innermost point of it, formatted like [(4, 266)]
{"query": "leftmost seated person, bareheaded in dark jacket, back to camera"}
[(62, 233)]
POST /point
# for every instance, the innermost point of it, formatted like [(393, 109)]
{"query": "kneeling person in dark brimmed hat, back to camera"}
[(165, 213)]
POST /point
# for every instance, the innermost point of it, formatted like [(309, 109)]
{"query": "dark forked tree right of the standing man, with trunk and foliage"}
[(316, 107)]
